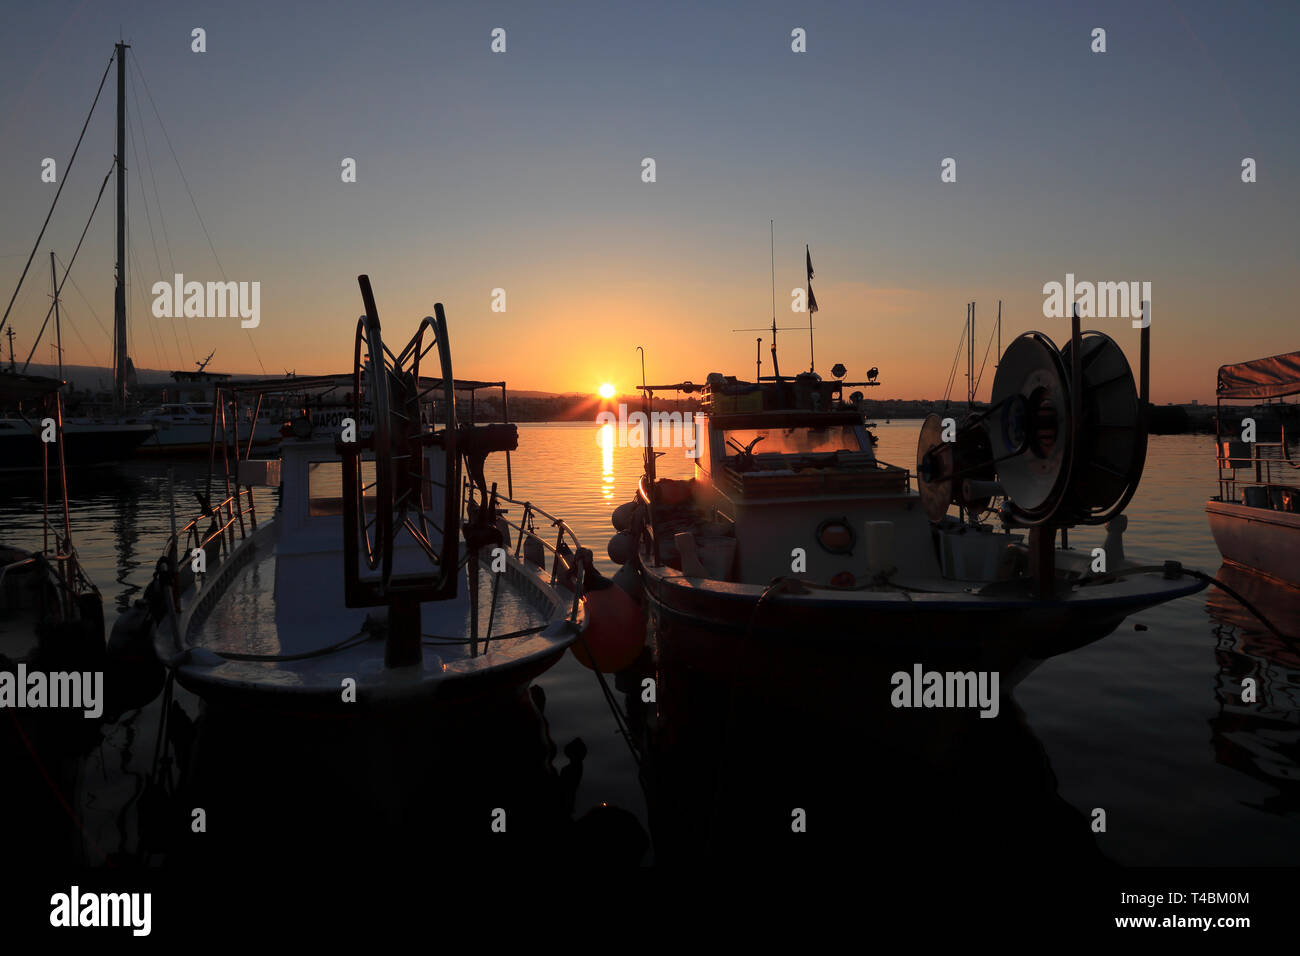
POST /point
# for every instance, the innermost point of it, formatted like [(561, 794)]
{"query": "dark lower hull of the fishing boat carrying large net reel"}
[(811, 643)]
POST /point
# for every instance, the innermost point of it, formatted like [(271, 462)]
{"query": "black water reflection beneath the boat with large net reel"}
[(729, 782)]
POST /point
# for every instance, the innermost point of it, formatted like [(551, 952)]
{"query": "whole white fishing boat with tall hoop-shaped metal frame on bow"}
[(389, 577)]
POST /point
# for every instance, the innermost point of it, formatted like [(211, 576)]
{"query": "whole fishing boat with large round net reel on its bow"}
[(796, 553)]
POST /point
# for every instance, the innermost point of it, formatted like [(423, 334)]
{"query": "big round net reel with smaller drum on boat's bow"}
[(1065, 434)]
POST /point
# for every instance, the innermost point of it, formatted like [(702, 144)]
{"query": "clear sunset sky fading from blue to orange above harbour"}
[(523, 171)]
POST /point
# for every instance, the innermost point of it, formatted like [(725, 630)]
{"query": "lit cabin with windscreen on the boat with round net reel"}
[(786, 483)]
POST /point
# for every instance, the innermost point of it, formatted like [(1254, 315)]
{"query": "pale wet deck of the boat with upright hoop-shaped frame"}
[(292, 607)]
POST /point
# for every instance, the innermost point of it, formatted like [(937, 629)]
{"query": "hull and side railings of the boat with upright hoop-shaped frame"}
[(237, 615)]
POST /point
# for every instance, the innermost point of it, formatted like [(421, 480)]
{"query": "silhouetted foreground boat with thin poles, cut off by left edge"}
[(50, 611)]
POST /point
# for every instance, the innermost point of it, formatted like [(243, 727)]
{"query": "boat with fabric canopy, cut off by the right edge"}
[(1256, 516)]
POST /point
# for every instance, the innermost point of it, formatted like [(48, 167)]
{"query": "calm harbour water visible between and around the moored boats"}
[(1146, 724)]
